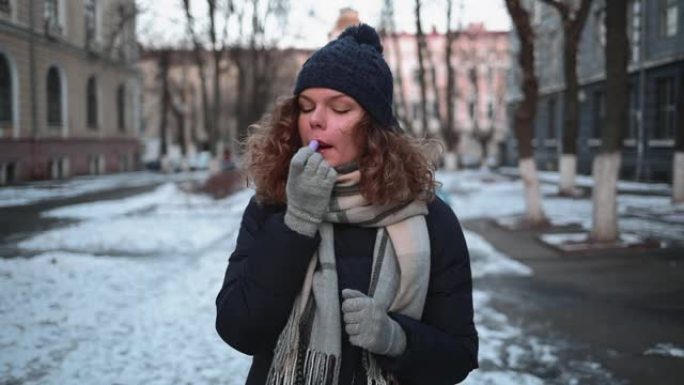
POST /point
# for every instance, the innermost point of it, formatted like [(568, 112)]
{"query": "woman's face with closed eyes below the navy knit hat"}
[(331, 118)]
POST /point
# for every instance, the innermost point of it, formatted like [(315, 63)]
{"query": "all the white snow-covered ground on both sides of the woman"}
[(126, 294)]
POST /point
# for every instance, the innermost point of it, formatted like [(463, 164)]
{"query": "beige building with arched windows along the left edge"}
[(69, 88)]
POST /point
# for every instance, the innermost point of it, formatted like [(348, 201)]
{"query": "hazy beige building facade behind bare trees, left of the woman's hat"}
[(184, 130)]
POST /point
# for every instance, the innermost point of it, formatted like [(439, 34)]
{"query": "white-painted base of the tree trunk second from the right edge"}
[(605, 171)]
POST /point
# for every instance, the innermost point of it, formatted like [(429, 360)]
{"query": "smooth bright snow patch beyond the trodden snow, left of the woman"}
[(176, 224)]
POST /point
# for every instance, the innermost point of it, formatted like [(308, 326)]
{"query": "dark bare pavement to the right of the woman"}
[(617, 304)]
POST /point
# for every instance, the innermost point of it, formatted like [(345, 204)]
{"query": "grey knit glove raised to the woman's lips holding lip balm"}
[(309, 186)]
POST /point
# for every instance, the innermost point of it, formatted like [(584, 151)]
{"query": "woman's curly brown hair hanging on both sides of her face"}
[(394, 167)]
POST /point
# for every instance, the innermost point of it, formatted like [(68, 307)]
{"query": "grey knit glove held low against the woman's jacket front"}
[(369, 327)]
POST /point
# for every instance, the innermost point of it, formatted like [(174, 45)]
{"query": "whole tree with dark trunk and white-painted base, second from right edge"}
[(606, 166)]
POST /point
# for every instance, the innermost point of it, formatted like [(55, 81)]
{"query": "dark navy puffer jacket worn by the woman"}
[(267, 268)]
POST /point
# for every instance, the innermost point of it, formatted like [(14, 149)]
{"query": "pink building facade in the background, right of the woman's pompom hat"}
[(481, 61)]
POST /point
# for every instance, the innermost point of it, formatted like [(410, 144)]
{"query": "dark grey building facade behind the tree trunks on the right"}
[(656, 87)]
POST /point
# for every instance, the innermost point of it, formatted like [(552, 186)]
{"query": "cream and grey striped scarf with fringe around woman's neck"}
[(308, 350)]
